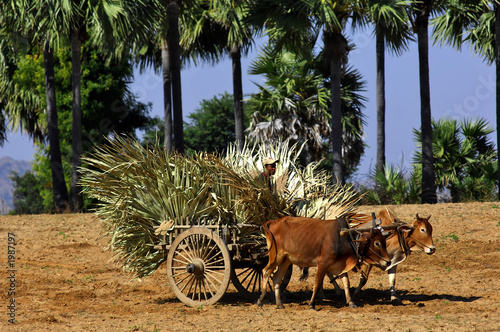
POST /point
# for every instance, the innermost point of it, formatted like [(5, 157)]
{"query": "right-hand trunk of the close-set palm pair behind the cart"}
[(175, 70)]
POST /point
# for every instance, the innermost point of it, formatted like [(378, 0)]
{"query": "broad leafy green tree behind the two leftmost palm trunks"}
[(107, 104)]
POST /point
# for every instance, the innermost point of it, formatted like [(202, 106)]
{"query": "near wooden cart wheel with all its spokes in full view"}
[(198, 267)]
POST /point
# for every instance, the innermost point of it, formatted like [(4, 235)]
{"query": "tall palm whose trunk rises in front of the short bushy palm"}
[(291, 22)]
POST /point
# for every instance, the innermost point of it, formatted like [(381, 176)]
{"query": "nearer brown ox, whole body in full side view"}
[(308, 242)]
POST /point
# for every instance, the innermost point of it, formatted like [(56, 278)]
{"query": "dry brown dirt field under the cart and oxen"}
[(64, 281)]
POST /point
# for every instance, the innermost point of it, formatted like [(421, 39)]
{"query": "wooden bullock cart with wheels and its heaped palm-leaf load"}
[(200, 215)]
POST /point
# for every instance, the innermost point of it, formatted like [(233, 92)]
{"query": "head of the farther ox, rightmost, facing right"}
[(420, 235)]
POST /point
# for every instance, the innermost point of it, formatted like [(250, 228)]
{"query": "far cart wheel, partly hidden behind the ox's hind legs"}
[(248, 280)]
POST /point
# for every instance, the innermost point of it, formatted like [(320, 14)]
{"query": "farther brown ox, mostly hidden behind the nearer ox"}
[(414, 238)]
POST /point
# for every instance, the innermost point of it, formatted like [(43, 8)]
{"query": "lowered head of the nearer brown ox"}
[(372, 248)]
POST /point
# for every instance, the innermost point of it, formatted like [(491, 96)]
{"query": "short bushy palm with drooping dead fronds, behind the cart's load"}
[(294, 104)]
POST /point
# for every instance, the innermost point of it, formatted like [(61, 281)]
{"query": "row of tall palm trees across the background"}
[(311, 93)]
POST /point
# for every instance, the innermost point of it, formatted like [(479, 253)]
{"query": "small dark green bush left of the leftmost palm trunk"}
[(27, 189)]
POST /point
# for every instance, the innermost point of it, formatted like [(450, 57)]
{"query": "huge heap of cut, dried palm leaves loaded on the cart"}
[(140, 188)]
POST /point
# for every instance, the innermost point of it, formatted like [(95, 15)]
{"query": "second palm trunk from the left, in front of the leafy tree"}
[(76, 199)]
